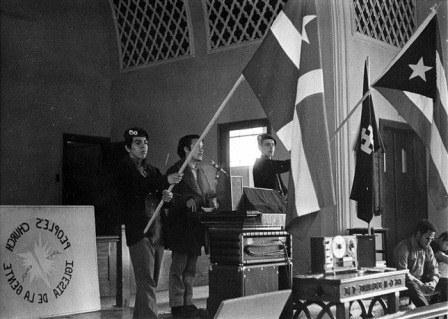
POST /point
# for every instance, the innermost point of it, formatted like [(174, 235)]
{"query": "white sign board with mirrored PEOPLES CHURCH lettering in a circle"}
[(48, 261)]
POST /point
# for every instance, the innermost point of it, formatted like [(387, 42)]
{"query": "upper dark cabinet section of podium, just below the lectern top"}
[(241, 247)]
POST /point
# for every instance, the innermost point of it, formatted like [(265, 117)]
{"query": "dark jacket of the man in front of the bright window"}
[(267, 172)]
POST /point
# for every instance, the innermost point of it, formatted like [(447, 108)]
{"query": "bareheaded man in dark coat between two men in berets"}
[(186, 235)]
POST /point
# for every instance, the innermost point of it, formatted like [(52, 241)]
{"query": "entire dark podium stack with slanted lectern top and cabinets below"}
[(250, 252)]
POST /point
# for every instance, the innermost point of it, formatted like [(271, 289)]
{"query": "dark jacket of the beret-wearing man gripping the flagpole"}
[(135, 193)]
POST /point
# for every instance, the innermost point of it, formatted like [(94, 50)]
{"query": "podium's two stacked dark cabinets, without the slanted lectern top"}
[(247, 261)]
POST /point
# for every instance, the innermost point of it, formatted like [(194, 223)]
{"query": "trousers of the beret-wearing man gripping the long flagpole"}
[(142, 258)]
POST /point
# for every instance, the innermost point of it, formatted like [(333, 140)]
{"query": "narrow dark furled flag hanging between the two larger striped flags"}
[(363, 190)]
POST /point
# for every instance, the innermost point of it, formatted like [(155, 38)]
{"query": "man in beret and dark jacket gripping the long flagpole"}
[(139, 188)]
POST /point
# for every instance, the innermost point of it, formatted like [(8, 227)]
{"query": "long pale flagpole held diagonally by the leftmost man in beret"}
[(196, 145)]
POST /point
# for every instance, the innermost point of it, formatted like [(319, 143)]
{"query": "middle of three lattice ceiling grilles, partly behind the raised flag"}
[(233, 22)]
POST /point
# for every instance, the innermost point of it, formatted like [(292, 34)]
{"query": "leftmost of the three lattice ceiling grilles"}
[(151, 31)]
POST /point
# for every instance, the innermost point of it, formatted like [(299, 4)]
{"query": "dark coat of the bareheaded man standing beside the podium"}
[(185, 233)]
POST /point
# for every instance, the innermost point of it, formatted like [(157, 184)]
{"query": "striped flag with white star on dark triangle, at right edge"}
[(415, 84)]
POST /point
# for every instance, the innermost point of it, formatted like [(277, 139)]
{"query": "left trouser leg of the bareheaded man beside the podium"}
[(176, 283)]
